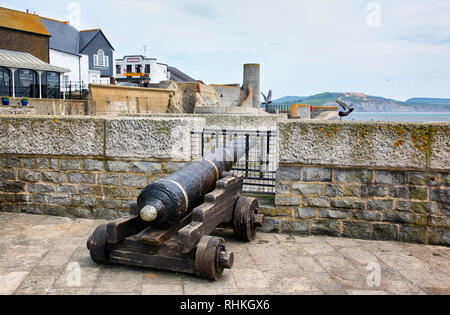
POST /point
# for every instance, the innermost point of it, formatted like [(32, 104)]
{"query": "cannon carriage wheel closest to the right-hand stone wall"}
[(246, 219)]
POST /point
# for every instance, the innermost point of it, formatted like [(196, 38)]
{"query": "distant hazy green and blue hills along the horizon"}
[(367, 103)]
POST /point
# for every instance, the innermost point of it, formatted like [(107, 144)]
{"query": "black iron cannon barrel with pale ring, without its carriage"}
[(167, 200)]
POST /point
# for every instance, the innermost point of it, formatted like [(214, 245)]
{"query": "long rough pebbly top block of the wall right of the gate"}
[(374, 144)]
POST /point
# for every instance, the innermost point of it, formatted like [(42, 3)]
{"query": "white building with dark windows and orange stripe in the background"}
[(139, 69)]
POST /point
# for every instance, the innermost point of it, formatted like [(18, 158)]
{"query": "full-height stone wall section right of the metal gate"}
[(383, 181)]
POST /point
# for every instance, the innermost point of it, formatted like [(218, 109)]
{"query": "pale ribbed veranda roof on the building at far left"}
[(24, 60)]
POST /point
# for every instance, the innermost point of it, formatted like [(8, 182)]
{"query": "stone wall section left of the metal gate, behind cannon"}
[(87, 167)]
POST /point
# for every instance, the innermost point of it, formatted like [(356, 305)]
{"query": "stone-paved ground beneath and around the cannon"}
[(38, 255)]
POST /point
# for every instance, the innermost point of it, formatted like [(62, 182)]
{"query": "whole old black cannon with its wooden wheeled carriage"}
[(168, 227)]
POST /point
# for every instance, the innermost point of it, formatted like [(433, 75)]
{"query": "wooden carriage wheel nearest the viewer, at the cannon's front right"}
[(211, 257)]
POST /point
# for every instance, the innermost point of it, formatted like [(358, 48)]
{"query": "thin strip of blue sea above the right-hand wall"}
[(400, 117)]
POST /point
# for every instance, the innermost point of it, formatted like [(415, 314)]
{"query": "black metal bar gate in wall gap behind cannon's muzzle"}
[(259, 165)]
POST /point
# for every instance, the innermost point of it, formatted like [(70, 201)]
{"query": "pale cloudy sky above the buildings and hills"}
[(392, 48)]
